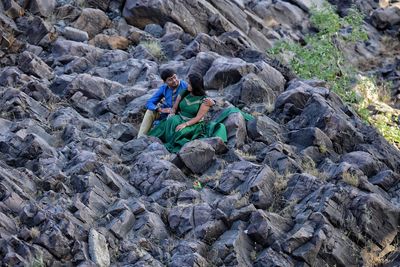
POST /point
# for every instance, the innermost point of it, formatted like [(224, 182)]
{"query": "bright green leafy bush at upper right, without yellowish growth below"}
[(322, 57)]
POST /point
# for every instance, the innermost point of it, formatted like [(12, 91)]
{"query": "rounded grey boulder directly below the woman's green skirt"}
[(197, 155)]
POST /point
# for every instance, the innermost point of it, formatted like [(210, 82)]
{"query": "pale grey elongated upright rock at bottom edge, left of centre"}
[(98, 249)]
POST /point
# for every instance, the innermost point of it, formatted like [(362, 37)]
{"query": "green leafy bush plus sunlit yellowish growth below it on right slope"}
[(322, 57)]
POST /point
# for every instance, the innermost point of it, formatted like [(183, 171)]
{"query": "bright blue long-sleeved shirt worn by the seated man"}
[(167, 93)]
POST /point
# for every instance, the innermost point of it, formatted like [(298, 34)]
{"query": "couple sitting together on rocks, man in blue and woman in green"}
[(181, 115)]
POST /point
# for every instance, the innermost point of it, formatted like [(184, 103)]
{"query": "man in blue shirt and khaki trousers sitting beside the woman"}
[(168, 92)]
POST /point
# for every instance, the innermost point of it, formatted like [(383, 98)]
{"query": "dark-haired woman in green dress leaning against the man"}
[(188, 124)]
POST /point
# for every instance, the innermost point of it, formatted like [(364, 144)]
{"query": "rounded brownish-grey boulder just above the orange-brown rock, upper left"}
[(92, 21)]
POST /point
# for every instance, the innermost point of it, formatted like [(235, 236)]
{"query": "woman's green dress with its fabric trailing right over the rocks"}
[(189, 106)]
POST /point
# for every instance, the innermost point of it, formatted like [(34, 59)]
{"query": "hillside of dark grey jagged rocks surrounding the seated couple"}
[(306, 183)]
